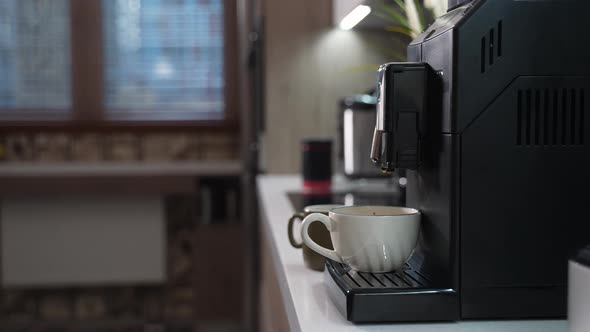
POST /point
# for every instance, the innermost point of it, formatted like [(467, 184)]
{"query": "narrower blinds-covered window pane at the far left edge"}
[(35, 55)]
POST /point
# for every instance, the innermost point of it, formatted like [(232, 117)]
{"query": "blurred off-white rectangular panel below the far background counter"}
[(80, 240)]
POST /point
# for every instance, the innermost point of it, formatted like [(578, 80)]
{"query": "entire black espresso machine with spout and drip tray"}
[(488, 122)]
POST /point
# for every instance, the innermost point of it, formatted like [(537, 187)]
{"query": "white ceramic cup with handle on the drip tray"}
[(367, 238)]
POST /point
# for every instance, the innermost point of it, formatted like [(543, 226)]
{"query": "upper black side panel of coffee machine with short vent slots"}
[(546, 43)]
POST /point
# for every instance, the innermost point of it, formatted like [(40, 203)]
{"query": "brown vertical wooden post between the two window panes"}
[(87, 58)]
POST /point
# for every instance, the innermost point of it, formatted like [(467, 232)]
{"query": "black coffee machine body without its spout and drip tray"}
[(504, 168)]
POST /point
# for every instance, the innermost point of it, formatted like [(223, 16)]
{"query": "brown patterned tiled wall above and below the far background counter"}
[(170, 306)]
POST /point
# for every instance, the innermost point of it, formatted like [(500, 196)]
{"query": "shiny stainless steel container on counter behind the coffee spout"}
[(357, 123)]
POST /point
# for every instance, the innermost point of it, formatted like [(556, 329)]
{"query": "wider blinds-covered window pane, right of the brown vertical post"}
[(164, 57)]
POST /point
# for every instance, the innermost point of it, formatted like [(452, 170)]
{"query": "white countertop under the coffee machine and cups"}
[(304, 295)]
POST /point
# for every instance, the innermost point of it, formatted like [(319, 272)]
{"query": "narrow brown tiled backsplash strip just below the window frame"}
[(95, 147)]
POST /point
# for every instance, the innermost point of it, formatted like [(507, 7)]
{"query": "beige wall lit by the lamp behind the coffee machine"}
[(310, 65)]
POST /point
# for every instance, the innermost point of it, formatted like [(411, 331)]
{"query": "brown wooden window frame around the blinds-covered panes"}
[(87, 85)]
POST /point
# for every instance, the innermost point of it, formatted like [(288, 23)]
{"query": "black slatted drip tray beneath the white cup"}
[(405, 295)]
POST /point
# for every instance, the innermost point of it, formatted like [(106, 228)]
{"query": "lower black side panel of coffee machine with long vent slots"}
[(523, 210)]
